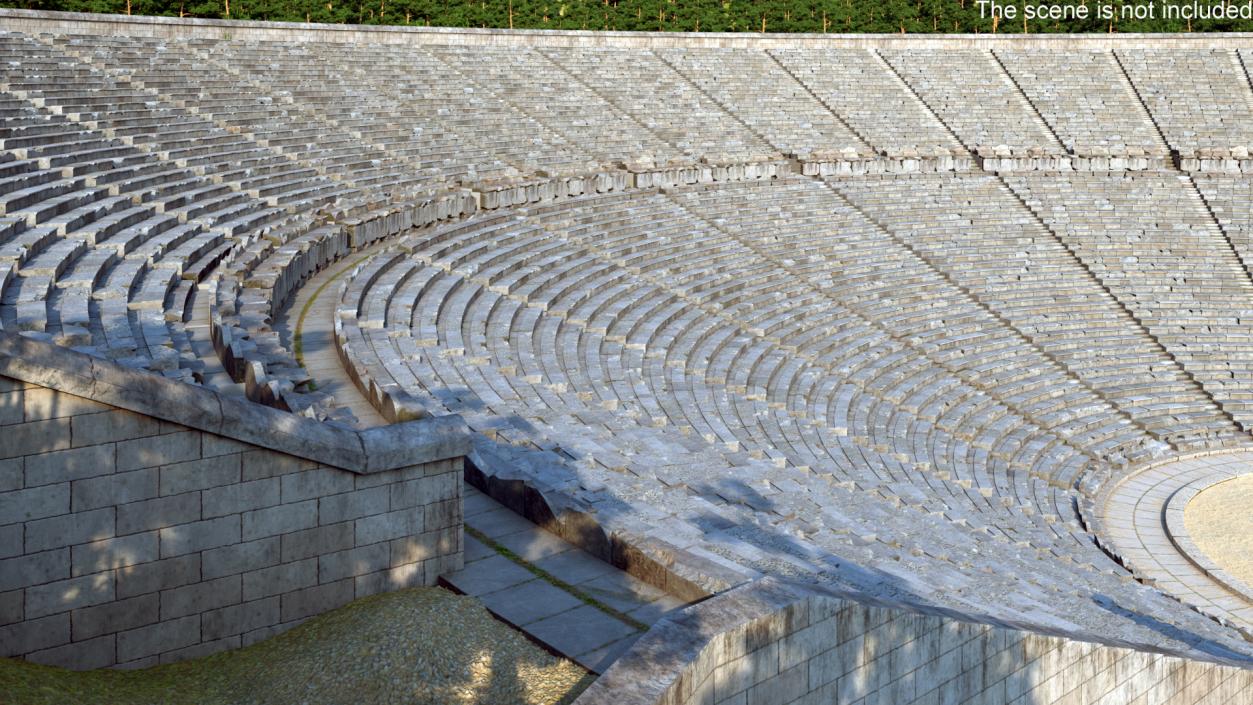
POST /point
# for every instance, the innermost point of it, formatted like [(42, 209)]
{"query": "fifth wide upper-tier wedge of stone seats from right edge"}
[(760, 93)]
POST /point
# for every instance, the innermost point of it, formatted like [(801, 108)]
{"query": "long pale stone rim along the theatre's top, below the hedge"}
[(44, 21)]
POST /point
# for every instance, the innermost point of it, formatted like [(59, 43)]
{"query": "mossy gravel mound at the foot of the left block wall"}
[(412, 647)]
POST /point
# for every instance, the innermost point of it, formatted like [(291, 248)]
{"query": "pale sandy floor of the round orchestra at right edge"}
[(1221, 524)]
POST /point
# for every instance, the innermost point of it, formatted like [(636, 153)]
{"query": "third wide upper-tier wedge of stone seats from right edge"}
[(970, 92)]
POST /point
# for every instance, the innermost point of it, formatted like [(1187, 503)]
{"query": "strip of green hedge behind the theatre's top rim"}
[(671, 16)]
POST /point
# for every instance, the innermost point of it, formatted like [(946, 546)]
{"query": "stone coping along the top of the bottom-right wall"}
[(656, 666)]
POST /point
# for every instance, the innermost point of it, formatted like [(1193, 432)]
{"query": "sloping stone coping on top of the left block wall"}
[(374, 450)]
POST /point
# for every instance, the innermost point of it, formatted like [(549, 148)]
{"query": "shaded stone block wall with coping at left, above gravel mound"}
[(147, 522)]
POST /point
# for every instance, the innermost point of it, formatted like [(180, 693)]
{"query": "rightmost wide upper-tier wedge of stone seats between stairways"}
[(1198, 100)]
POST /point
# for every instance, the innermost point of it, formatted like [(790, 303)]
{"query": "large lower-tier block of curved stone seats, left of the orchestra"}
[(620, 352)]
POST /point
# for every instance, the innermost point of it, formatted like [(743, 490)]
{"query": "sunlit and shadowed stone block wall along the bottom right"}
[(777, 644)]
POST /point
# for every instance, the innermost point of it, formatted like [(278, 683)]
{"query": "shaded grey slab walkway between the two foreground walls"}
[(563, 598)]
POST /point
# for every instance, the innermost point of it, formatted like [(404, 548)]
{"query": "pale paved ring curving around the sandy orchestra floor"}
[(1136, 520)]
